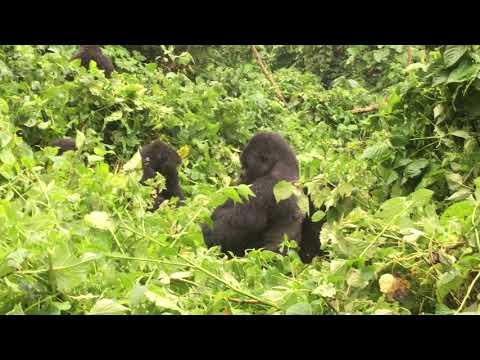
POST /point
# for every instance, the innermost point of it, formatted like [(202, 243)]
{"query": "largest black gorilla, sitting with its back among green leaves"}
[(261, 222)]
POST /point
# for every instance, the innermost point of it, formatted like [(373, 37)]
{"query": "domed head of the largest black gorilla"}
[(268, 154)]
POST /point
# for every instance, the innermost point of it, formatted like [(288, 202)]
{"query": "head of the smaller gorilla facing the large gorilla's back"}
[(158, 157)]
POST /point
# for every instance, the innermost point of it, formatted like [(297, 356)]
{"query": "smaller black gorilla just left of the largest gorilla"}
[(161, 158)]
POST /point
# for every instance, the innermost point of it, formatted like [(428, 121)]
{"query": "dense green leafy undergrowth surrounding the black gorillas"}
[(399, 186)]
